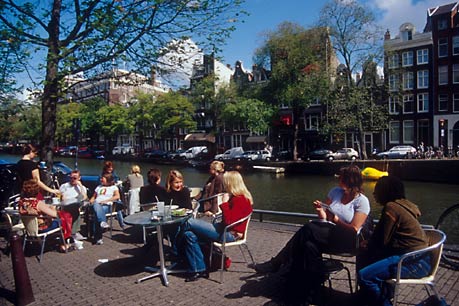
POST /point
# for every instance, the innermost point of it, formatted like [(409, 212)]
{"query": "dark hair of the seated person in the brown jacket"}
[(388, 189)]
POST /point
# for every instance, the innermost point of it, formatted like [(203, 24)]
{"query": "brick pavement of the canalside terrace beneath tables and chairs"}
[(78, 278)]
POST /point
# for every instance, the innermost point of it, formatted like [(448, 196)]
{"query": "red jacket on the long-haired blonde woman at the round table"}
[(237, 208)]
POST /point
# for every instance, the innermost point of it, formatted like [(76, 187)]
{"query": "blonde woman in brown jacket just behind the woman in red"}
[(213, 186)]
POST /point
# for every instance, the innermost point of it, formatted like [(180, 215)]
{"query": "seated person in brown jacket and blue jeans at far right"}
[(397, 232)]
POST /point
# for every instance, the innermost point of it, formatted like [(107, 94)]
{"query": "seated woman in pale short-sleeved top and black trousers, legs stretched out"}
[(347, 207)]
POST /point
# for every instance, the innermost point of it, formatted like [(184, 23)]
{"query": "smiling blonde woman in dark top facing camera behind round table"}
[(177, 193)]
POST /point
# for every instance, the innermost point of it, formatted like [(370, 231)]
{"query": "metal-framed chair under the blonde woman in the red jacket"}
[(223, 245)]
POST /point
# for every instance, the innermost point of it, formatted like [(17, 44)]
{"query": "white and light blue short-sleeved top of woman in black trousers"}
[(346, 211)]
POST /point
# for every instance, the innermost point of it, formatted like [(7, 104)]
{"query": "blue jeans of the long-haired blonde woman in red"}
[(196, 231)]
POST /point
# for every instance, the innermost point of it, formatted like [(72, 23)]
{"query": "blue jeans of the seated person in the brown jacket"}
[(372, 277)]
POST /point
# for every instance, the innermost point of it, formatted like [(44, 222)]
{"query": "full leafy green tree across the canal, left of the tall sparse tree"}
[(299, 64)]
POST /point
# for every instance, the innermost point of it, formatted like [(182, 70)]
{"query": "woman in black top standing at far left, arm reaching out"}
[(27, 169)]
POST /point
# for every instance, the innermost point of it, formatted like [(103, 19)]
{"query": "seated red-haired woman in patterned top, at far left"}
[(31, 206)]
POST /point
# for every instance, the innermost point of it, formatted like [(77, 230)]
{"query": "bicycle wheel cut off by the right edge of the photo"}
[(449, 224)]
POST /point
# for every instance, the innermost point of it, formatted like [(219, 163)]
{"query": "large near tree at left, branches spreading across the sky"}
[(74, 36)]
